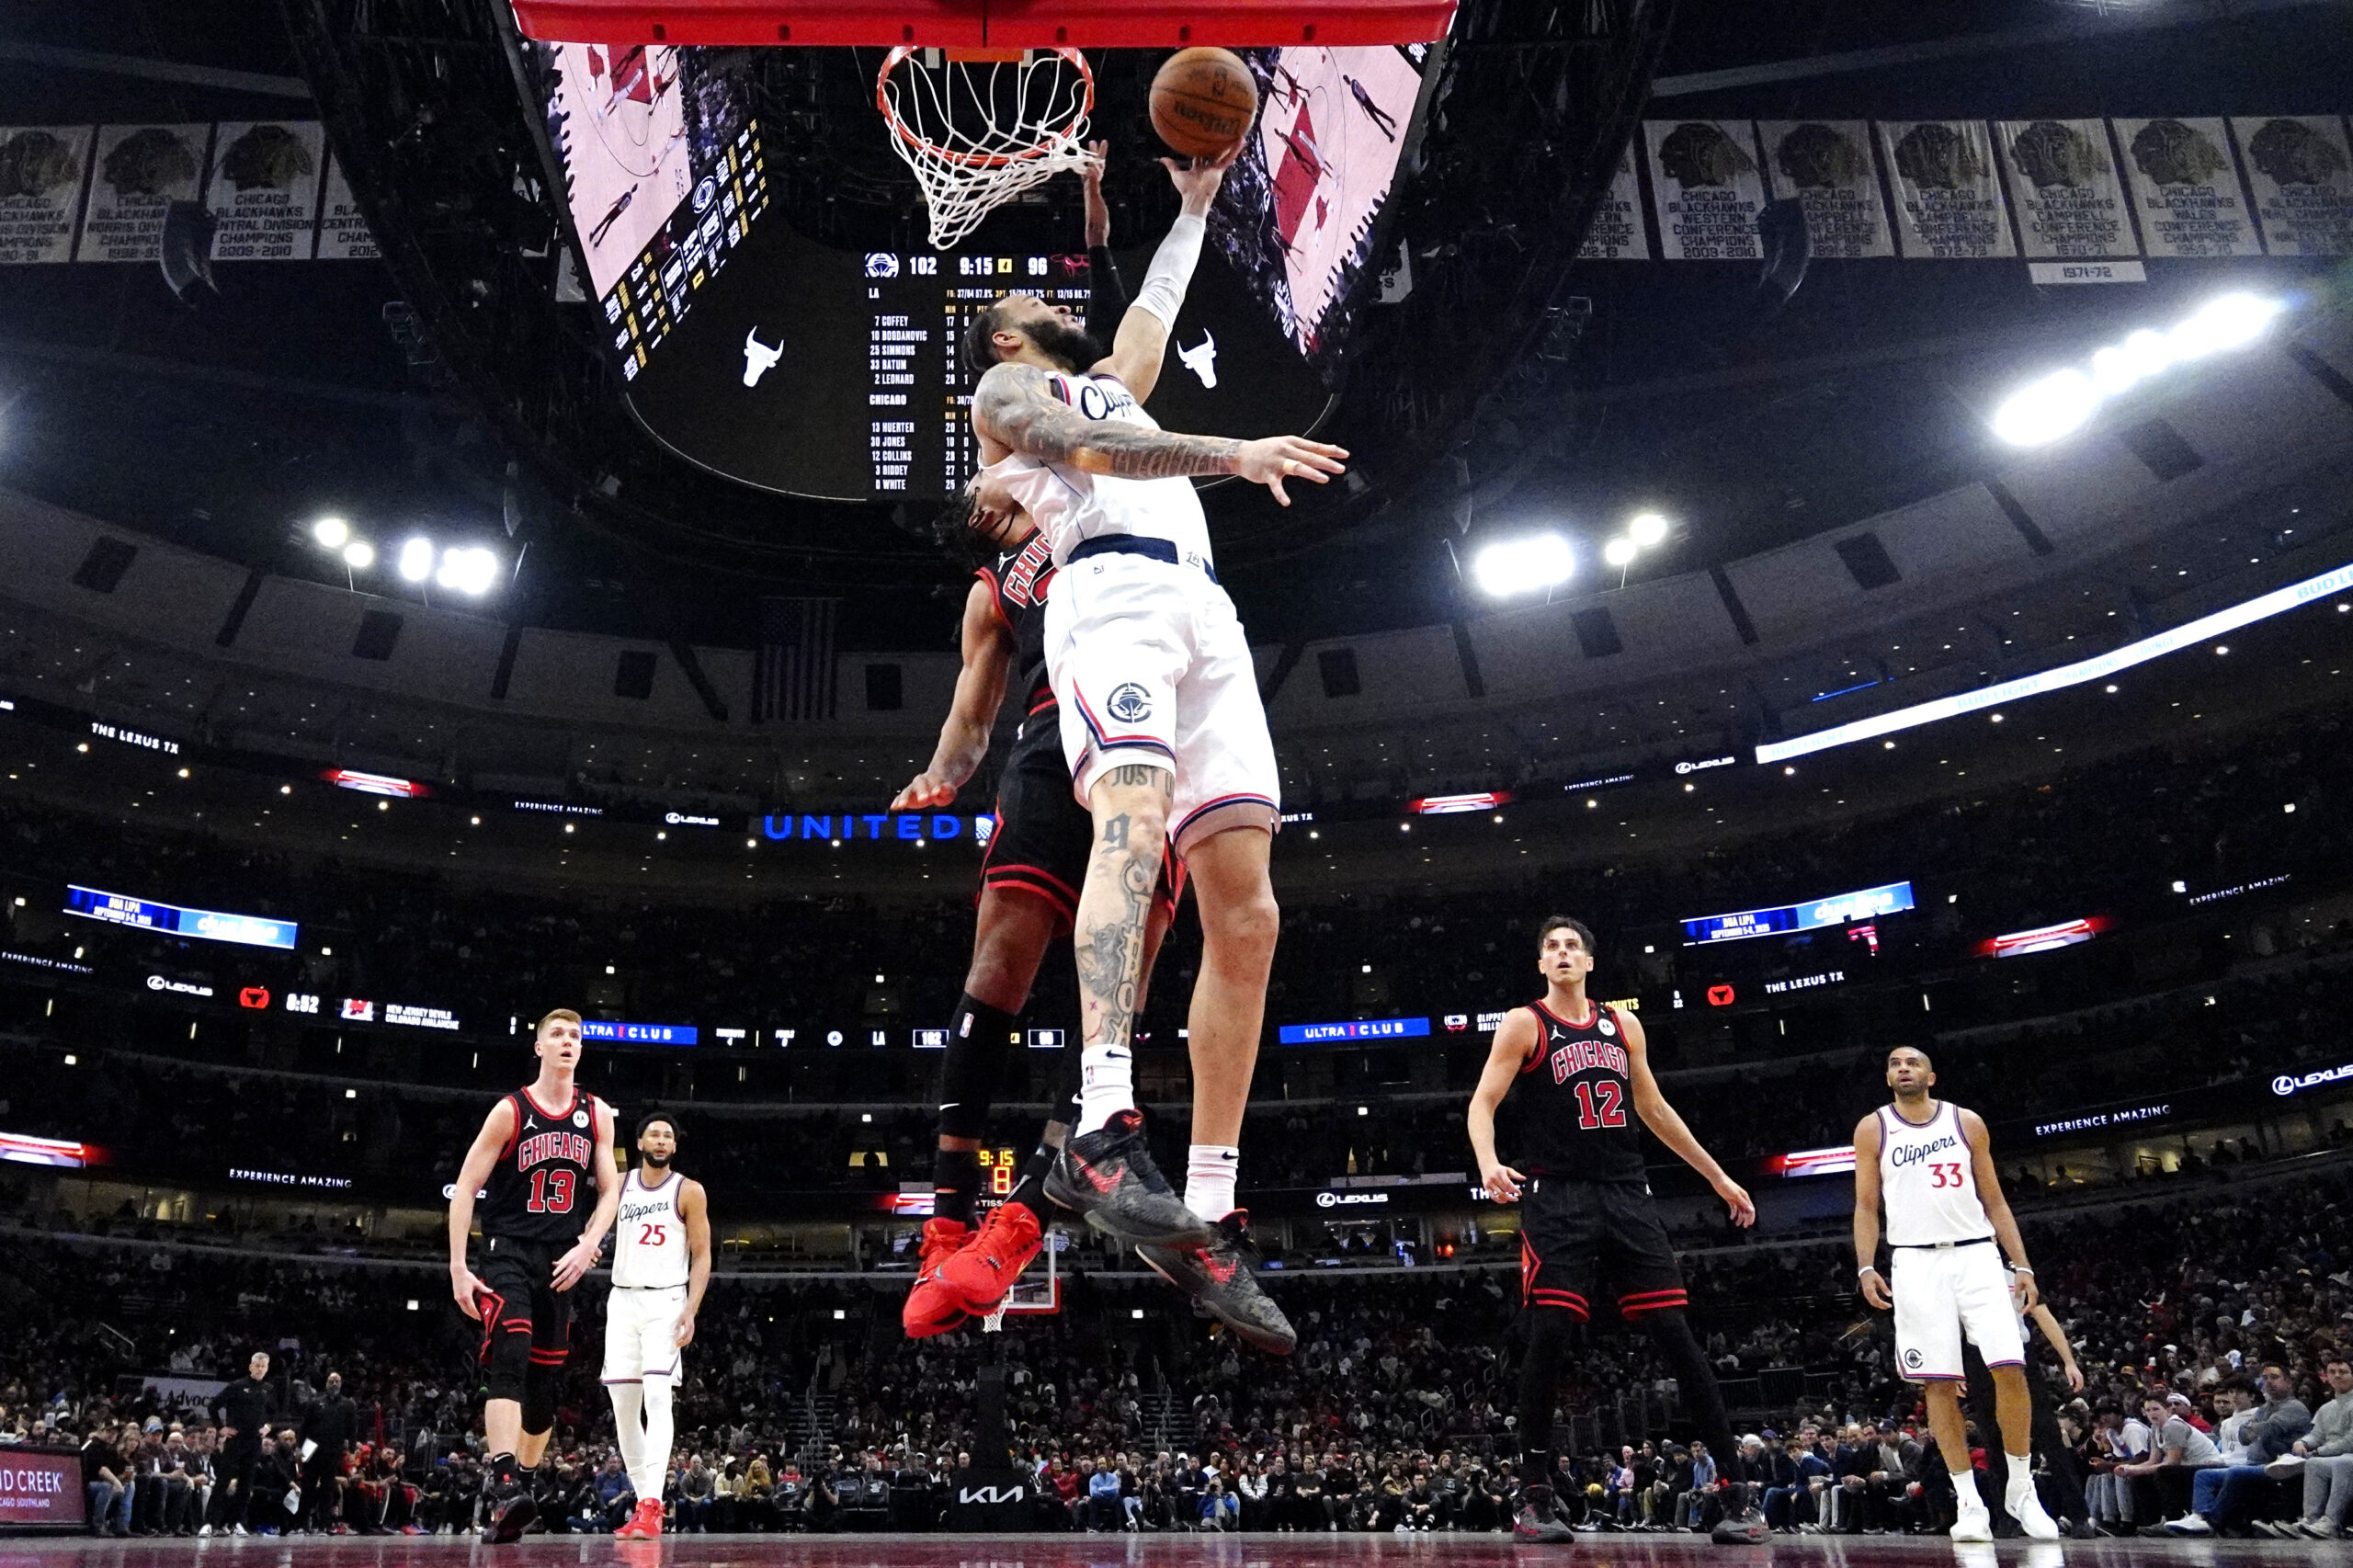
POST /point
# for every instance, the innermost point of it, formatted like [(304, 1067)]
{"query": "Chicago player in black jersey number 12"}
[(1578, 1077)]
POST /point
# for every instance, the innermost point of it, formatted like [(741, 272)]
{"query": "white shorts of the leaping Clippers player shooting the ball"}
[(1149, 665)]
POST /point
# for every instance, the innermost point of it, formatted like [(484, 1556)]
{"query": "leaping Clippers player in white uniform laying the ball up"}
[(1161, 726)]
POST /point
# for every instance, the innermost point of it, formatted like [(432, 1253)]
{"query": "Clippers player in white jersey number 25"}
[(660, 1270)]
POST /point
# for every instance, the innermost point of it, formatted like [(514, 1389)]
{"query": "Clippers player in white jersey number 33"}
[(1933, 1167)]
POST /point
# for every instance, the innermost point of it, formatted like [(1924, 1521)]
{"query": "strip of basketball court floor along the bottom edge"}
[(1154, 1553)]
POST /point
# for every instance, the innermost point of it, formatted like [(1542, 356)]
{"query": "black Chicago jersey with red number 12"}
[(1575, 1103)]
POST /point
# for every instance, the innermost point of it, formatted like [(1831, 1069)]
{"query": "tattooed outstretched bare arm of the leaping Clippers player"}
[(1013, 406)]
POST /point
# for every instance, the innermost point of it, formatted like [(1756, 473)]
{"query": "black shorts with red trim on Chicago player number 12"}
[(1578, 1237)]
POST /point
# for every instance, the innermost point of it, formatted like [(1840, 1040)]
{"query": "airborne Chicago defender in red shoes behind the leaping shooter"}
[(1029, 886)]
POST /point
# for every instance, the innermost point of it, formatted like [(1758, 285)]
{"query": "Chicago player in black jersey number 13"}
[(549, 1190)]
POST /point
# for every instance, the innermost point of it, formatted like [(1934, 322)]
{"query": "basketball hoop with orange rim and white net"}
[(982, 128)]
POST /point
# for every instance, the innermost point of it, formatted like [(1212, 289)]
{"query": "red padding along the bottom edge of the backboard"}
[(966, 25)]
